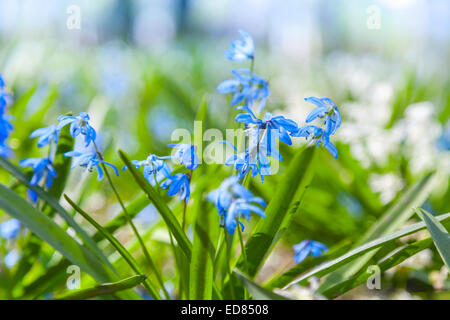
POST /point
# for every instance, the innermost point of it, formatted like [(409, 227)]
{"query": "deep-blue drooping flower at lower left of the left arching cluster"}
[(42, 169)]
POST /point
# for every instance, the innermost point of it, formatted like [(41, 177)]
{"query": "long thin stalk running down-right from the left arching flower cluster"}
[(130, 221)]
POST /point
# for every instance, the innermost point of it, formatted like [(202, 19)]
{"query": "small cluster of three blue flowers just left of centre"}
[(156, 171)]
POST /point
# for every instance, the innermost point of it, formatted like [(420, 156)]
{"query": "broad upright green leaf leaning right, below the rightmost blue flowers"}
[(292, 185)]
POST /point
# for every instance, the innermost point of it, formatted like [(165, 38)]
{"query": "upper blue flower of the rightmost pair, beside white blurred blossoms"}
[(327, 111)]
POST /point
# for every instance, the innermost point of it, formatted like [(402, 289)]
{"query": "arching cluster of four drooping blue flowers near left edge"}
[(43, 169)]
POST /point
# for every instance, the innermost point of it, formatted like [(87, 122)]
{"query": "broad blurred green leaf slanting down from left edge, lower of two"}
[(50, 232)]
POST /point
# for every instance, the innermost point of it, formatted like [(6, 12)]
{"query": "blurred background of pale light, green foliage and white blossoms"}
[(142, 68)]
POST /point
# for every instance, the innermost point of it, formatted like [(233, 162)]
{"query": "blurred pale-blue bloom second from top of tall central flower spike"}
[(246, 86)]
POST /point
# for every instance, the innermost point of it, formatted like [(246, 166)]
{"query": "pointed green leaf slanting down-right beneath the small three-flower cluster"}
[(163, 209)]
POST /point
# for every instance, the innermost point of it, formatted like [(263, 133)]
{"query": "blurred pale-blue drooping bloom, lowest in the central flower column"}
[(234, 201)]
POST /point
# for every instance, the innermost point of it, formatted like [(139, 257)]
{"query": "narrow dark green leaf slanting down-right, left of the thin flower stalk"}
[(118, 246)]
